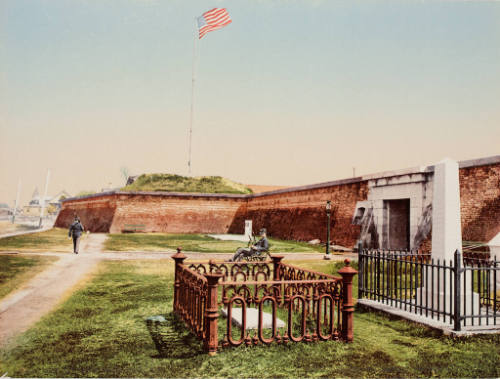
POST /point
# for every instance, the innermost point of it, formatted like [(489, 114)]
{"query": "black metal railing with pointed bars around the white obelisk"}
[(456, 292)]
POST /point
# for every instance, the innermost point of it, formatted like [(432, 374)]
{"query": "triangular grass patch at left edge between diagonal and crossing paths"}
[(17, 270)]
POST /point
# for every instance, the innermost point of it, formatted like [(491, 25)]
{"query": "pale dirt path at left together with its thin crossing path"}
[(26, 306)]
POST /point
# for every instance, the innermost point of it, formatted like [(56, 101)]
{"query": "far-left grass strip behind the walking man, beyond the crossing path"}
[(55, 240)]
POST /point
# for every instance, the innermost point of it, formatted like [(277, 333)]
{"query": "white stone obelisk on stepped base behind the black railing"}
[(446, 239)]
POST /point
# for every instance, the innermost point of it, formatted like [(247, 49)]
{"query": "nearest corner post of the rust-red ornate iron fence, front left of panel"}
[(211, 314)]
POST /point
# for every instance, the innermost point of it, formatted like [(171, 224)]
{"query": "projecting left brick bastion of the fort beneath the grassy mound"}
[(155, 212)]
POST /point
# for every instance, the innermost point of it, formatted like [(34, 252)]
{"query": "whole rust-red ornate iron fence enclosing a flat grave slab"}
[(315, 306)]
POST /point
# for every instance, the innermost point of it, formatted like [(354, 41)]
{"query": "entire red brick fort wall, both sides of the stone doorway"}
[(293, 213)]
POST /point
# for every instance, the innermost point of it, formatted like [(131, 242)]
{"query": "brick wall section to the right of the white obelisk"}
[(480, 202)]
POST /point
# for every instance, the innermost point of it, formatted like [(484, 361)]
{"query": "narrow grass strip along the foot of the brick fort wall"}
[(195, 242)]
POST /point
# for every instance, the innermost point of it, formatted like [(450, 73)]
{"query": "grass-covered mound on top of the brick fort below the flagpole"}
[(178, 183)]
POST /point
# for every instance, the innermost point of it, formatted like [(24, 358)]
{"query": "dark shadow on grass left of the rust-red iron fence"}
[(173, 339)]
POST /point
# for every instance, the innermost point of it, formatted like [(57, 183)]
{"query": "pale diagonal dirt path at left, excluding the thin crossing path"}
[(24, 307)]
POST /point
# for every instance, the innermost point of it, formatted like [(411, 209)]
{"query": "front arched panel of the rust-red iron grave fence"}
[(312, 306)]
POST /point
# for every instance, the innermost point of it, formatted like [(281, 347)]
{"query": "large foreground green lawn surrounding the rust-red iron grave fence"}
[(100, 331)]
